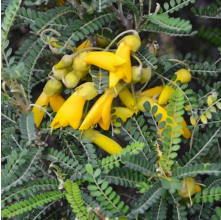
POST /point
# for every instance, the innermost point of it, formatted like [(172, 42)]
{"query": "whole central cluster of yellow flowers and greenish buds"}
[(70, 71)]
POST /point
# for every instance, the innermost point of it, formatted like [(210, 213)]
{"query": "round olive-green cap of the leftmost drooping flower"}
[(53, 87)]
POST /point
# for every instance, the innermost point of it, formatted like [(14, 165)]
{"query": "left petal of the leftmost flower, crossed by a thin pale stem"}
[(38, 112)]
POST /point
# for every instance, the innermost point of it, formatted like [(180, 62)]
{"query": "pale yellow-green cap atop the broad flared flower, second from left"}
[(87, 91)]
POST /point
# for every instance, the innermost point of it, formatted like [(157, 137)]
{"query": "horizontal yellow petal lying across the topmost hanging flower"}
[(104, 60)]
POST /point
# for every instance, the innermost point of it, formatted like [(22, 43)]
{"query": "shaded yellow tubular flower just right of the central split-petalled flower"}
[(128, 100)]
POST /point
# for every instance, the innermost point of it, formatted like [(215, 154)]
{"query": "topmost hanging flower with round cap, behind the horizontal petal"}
[(126, 45)]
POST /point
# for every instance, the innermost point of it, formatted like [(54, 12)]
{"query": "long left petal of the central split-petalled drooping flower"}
[(95, 113)]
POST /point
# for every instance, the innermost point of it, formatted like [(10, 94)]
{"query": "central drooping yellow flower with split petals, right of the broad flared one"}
[(101, 110)]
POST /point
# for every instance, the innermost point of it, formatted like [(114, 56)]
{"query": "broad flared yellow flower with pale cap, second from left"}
[(71, 111)]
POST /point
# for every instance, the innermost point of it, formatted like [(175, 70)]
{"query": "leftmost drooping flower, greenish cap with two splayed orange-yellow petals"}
[(50, 94)]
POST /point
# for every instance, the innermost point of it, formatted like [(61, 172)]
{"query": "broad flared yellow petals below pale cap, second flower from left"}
[(70, 112)]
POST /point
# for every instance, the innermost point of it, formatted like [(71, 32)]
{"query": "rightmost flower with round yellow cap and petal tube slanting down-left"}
[(184, 76)]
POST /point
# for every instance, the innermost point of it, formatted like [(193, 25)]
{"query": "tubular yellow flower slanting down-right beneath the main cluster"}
[(104, 142)]
